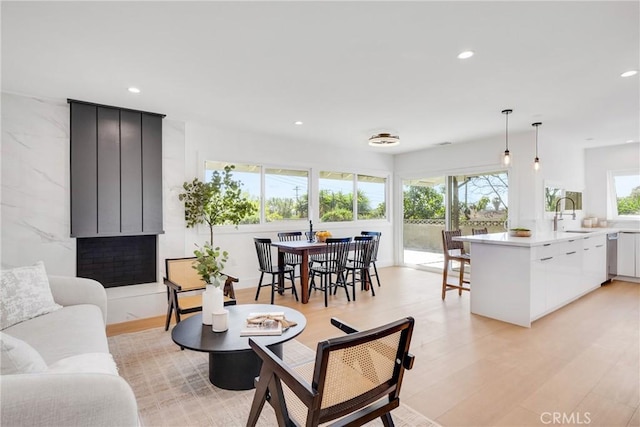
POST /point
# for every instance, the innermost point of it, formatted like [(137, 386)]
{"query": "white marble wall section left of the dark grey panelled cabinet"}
[(35, 184)]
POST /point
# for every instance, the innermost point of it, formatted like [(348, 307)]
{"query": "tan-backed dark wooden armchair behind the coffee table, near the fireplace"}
[(182, 278)]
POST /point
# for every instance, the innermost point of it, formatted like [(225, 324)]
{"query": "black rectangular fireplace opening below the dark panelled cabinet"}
[(117, 261)]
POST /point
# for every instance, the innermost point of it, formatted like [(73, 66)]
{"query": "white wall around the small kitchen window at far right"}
[(598, 162)]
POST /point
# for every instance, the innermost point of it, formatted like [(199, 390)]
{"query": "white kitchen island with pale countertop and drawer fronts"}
[(520, 279)]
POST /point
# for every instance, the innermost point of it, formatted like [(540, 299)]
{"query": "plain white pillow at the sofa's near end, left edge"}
[(18, 357)]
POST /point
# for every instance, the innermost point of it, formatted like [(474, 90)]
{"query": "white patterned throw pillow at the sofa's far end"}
[(25, 294)]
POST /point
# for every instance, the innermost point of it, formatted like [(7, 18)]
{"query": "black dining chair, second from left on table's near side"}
[(334, 261)]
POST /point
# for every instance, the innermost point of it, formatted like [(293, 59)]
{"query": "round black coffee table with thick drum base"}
[(233, 365)]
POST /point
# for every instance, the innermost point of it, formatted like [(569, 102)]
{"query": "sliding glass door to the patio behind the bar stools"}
[(450, 202)]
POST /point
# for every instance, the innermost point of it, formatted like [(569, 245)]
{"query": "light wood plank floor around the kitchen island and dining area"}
[(577, 366)]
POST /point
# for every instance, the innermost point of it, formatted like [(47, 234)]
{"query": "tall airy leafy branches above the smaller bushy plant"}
[(217, 202)]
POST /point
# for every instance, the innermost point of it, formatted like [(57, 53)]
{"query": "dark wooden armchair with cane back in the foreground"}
[(353, 379)]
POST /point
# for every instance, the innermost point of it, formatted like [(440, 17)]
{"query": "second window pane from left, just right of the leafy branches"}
[(286, 194)]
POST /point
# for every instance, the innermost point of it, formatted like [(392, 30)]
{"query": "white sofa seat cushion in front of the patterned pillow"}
[(67, 332)]
